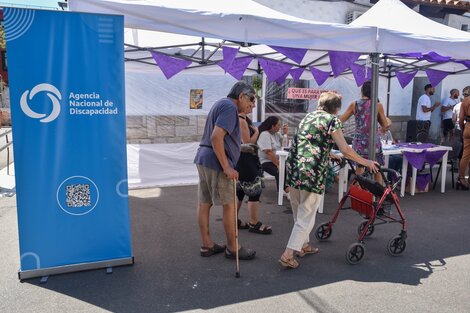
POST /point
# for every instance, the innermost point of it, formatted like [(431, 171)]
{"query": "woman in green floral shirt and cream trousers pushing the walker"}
[(306, 169)]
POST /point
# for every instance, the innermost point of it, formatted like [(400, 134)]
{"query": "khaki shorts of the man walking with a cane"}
[(214, 187)]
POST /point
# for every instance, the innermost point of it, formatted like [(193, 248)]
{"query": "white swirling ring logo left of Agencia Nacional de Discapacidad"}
[(53, 94)]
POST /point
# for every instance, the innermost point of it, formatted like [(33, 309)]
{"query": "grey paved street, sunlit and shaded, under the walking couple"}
[(433, 275)]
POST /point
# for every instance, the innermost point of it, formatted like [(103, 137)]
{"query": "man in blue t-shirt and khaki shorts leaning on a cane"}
[(215, 159)]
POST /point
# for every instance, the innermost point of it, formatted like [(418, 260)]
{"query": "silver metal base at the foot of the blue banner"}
[(22, 275)]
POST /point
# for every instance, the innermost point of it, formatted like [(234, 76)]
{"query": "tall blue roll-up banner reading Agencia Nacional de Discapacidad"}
[(66, 73)]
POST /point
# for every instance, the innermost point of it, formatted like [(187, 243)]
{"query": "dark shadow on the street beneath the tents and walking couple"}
[(169, 275)]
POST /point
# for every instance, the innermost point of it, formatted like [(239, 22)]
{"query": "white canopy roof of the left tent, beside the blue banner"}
[(242, 21)]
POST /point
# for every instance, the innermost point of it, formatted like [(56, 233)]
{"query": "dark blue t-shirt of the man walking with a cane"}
[(223, 114)]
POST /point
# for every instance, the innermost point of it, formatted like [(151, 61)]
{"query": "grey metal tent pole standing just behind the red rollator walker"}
[(373, 104)]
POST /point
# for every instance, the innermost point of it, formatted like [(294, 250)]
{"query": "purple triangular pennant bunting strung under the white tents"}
[(278, 71)]
